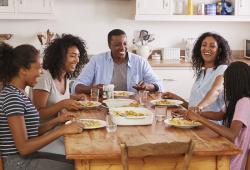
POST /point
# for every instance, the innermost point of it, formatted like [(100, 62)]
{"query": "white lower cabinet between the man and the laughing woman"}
[(178, 80)]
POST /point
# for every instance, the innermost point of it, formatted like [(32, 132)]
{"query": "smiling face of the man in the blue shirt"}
[(118, 46)]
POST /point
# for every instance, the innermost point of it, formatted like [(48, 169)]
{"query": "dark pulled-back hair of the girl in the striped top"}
[(13, 59)]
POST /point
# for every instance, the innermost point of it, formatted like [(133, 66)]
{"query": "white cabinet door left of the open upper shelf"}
[(153, 7)]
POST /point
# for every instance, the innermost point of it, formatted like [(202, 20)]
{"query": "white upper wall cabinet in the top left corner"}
[(27, 9)]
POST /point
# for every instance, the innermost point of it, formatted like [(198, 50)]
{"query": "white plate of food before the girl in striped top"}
[(87, 123)]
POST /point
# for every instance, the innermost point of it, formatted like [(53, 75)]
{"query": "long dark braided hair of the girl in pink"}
[(236, 86)]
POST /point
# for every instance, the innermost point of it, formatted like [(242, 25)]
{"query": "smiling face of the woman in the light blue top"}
[(209, 50)]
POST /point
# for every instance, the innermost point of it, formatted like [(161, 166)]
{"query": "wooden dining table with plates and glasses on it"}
[(99, 150)]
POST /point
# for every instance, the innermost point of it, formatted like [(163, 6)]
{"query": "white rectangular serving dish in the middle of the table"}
[(120, 118)]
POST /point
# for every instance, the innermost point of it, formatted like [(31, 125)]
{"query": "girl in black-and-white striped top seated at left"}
[(21, 133)]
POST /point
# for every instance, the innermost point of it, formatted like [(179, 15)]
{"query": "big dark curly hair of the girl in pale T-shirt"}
[(56, 52)]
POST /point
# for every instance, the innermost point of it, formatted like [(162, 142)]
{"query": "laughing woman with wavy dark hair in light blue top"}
[(211, 55)]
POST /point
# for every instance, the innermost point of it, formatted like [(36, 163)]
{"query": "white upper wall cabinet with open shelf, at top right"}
[(155, 10)]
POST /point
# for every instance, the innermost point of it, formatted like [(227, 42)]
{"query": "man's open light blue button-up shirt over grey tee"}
[(99, 70)]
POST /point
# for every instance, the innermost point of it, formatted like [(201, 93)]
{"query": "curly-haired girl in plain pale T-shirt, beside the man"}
[(63, 58)]
